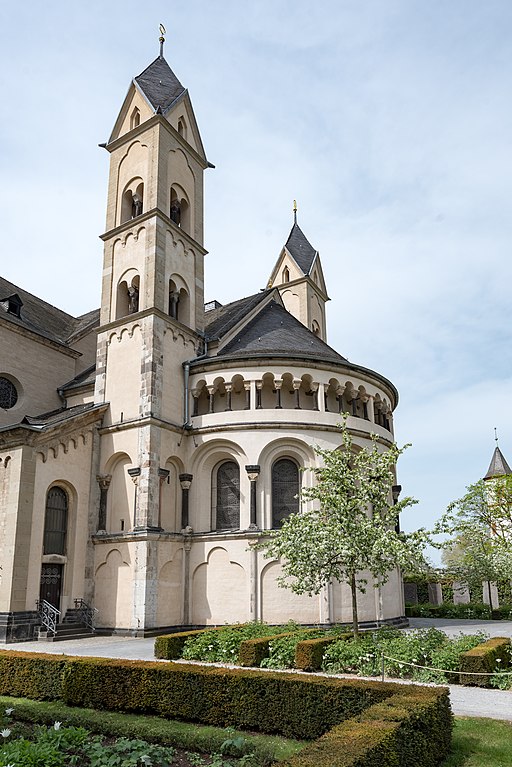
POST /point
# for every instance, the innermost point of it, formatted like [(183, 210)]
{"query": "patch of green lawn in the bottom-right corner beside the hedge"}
[(480, 743)]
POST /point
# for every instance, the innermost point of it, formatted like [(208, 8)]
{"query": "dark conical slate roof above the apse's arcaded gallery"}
[(276, 332)]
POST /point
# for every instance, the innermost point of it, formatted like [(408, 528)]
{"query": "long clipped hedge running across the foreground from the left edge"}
[(288, 704)]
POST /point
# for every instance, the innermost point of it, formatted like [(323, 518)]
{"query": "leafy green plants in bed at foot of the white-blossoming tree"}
[(423, 647)]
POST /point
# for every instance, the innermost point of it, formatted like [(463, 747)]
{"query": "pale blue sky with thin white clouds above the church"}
[(389, 122)]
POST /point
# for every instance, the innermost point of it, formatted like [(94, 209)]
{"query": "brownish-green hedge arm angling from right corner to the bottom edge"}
[(412, 727)]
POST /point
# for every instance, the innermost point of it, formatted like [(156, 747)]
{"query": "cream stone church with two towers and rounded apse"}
[(145, 447)]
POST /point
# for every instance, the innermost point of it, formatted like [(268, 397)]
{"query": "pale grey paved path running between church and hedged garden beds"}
[(466, 701)]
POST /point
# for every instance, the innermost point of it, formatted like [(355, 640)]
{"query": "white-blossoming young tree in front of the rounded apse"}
[(349, 526)]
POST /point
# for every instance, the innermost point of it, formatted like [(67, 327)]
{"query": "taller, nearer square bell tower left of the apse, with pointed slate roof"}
[(152, 303)]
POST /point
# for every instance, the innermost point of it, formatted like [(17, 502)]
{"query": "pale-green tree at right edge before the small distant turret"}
[(480, 528)]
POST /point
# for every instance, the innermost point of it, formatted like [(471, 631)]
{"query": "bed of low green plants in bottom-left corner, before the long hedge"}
[(88, 738)]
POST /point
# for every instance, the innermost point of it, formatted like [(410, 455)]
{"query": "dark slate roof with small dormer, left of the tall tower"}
[(44, 319)]
